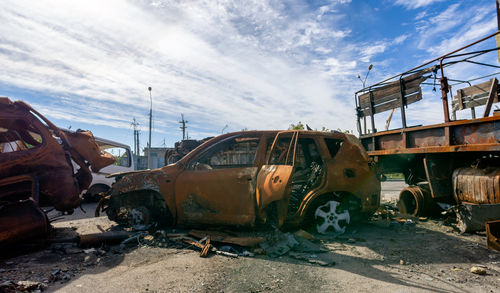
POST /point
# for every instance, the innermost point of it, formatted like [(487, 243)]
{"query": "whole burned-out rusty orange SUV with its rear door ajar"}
[(254, 177)]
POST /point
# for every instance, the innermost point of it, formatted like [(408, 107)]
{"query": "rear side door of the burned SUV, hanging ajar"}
[(273, 179)]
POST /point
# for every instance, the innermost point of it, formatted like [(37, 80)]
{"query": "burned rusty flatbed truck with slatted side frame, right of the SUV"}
[(452, 163)]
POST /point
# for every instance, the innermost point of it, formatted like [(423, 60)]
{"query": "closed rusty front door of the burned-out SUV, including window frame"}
[(218, 185)]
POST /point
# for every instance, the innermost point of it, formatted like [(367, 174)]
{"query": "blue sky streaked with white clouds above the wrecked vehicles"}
[(244, 64)]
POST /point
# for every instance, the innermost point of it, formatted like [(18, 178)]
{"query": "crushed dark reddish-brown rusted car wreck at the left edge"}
[(36, 166)]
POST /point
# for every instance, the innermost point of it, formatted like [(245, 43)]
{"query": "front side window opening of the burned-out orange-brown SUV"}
[(232, 153)]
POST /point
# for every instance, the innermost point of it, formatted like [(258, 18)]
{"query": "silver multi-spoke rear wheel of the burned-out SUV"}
[(331, 217)]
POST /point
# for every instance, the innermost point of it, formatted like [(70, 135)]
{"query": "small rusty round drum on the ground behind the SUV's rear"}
[(416, 200)]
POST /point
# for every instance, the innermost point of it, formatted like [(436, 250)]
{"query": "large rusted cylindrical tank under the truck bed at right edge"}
[(480, 186)]
